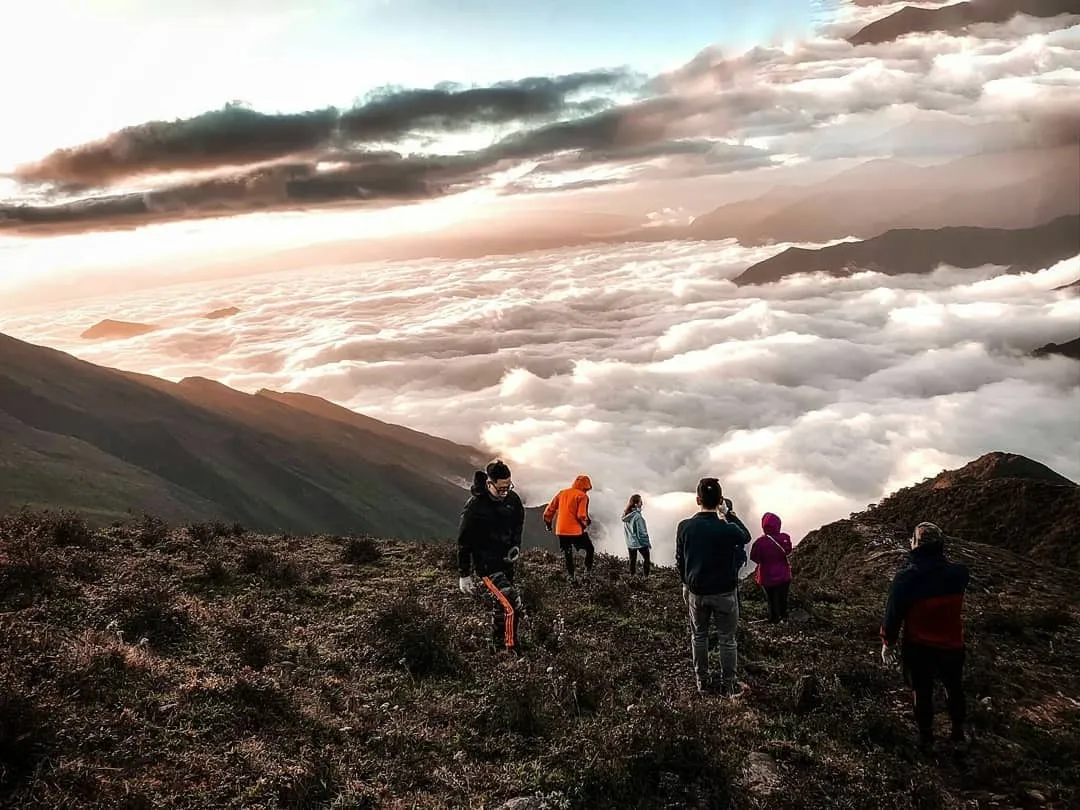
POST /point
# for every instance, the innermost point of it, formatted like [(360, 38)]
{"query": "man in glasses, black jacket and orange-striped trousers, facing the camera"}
[(490, 541)]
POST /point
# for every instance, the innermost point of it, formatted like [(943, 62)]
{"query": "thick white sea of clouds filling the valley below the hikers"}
[(644, 367)]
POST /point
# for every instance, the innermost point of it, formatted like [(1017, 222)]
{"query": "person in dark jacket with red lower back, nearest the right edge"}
[(927, 601)]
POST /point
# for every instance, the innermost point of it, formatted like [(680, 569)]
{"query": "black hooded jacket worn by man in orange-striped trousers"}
[(490, 529)]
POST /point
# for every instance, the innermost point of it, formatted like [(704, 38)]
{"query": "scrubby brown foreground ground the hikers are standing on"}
[(198, 668)]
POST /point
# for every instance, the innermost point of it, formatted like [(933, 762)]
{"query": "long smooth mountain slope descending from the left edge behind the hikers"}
[(93, 438)]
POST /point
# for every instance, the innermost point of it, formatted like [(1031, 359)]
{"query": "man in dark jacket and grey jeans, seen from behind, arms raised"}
[(710, 549)]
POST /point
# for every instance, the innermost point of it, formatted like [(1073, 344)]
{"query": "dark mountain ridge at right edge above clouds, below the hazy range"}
[(916, 251)]
